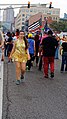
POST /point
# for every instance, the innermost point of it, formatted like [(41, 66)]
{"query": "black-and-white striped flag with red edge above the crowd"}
[(35, 26)]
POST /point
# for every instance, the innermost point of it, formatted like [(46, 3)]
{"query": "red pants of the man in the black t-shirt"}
[(47, 61)]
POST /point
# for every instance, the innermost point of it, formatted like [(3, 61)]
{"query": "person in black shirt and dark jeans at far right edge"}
[(64, 56)]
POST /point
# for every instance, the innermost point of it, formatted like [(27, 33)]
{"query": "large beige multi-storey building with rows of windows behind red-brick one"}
[(25, 13)]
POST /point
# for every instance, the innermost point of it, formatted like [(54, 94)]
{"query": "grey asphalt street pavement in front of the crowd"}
[(37, 98)]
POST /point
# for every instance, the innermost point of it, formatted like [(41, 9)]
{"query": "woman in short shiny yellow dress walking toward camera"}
[(20, 55)]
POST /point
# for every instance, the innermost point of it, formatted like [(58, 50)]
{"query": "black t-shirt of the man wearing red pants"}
[(49, 46)]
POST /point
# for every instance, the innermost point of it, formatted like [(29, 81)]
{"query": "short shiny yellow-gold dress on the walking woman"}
[(20, 54)]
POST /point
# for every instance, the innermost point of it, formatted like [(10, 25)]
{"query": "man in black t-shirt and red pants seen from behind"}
[(49, 45)]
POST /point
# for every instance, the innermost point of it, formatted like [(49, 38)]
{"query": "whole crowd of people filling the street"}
[(23, 49)]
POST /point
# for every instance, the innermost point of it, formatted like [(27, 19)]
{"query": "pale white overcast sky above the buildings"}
[(62, 4)]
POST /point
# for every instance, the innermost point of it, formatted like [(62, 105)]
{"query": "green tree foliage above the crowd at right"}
[(59, 26)]
